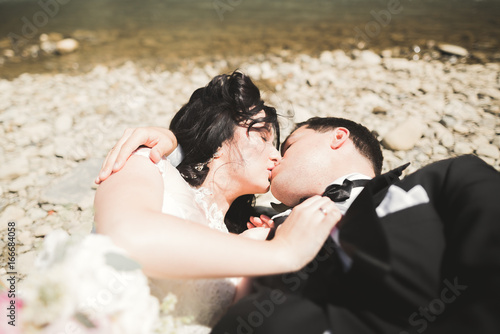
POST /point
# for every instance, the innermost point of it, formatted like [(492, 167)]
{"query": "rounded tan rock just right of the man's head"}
[(404, 136)]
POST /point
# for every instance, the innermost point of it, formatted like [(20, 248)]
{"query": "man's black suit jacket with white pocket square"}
[(434, 267)]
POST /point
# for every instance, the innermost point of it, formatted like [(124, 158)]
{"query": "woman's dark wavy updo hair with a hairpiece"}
[(208, 120)]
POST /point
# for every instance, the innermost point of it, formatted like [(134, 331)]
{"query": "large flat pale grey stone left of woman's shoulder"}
[(74, 187)]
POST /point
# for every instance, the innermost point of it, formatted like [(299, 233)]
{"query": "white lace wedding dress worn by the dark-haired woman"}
[(200, 302)]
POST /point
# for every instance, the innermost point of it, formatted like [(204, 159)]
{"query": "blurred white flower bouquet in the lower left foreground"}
[(86, 286)]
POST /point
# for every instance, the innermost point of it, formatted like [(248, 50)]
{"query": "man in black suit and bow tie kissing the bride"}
[(421, 254)]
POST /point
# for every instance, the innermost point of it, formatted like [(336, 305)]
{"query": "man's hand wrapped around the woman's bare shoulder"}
[(161, 141)]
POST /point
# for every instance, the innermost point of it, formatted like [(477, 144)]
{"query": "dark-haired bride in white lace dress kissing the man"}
[(175, 221)]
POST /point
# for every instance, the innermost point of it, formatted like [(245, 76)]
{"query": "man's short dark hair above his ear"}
[(363, 139)]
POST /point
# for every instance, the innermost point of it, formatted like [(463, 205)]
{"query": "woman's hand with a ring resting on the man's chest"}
[(306, 229)]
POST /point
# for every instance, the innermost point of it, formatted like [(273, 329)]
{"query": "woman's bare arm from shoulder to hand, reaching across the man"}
[(128, 209)]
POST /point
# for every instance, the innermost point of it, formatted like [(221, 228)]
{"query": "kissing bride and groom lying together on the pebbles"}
[(360, 252)]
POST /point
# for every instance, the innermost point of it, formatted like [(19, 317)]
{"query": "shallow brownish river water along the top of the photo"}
[(170, 32)]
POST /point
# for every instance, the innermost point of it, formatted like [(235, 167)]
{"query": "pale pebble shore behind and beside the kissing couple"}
[(56, 129)]
